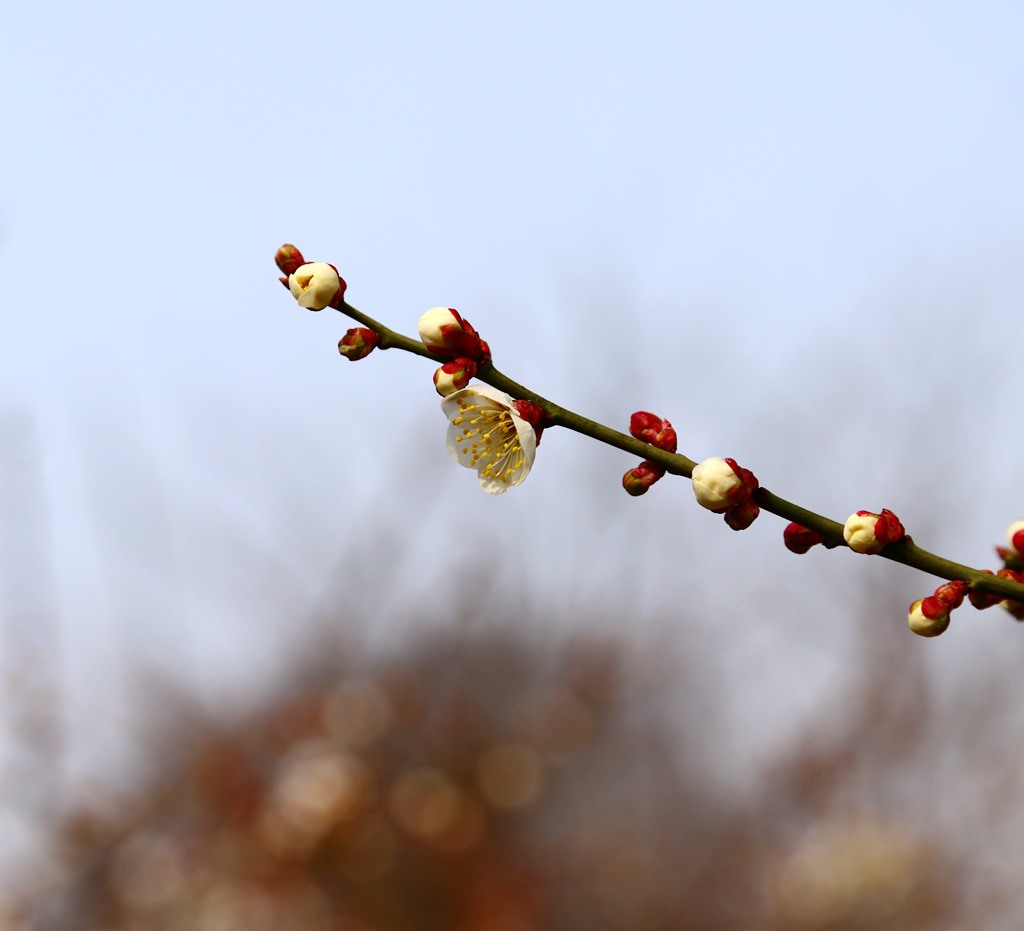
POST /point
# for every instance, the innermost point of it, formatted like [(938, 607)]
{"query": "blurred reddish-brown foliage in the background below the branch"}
[(488, 783)]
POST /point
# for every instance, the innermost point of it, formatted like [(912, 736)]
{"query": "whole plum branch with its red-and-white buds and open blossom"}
[(495, 430)]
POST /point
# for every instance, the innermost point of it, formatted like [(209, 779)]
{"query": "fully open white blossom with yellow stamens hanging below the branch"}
[(486, 434)]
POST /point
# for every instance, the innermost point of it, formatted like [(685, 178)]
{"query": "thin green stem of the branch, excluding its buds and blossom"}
[(906, 551)]
